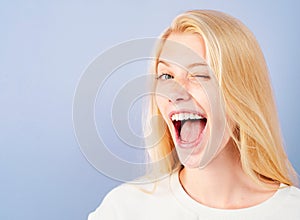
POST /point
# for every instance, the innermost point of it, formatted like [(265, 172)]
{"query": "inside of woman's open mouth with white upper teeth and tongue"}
[(188, 126)]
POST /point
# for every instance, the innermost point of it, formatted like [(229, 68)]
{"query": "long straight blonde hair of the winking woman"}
[(234, 55)]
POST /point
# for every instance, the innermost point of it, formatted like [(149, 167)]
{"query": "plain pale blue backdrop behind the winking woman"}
[(45, 47)]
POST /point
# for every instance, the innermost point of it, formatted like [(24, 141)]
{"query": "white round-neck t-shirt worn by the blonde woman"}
[(170, 201)]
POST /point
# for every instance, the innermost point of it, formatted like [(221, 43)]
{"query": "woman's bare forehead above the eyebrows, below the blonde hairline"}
[(183, 49)]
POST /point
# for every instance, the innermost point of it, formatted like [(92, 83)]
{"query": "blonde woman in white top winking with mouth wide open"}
[(213, 91)]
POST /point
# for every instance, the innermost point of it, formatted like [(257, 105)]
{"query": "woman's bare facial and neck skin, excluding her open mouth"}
[(212, 173)]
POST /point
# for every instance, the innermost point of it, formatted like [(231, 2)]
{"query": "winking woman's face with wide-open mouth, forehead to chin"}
[(188, 97)]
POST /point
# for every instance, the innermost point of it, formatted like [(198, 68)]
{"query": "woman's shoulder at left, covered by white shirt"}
[(132, 201)]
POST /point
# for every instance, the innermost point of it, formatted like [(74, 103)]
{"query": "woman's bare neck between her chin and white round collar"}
[(221, 184)]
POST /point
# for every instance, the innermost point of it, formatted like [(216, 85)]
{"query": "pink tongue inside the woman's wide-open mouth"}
[(191, 130)]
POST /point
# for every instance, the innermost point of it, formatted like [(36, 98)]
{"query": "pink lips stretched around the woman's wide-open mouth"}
[(179, 142)]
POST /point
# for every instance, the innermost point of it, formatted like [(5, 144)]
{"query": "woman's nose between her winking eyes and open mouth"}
[(178, 93)]
